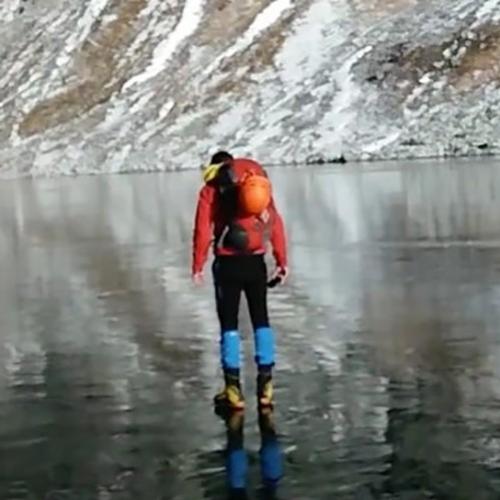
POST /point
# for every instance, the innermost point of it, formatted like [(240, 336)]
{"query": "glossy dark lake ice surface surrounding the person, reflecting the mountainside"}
[(388, 374)]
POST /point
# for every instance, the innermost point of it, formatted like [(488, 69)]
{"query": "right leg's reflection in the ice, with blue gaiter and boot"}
[(271, 461)]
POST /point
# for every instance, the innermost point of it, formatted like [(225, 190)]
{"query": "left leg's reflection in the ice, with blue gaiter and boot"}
[(236, 458)]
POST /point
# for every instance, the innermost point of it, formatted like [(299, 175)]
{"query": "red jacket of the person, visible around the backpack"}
[(210, 222)]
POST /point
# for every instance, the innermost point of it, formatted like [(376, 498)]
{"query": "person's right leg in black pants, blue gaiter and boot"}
[(256, 295)]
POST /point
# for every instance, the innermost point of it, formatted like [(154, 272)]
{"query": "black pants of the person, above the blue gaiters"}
[(236, 274)]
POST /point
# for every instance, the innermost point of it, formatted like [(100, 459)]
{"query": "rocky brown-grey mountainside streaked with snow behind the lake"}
[(91, 86)]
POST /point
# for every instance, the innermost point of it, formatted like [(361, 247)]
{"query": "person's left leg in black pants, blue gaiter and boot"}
[(227, 294)]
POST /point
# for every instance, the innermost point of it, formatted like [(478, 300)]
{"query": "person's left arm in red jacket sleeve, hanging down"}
[(202, 233)]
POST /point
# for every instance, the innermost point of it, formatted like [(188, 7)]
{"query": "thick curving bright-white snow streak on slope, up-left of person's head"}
[(191, 17)]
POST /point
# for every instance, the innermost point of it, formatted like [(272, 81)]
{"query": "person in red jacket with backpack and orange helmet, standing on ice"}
[(239, 240)]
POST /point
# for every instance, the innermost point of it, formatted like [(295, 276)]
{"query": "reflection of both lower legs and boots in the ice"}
[(271, 466)]
